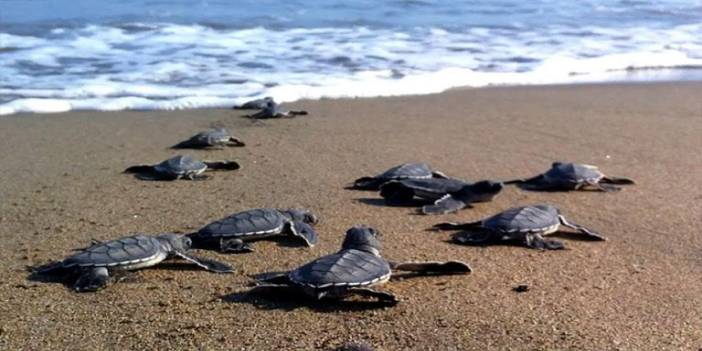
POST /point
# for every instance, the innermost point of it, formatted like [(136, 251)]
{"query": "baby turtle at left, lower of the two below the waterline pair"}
[(179, 167)]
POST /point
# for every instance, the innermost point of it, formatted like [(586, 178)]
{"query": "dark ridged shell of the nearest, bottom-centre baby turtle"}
[(344, 268)]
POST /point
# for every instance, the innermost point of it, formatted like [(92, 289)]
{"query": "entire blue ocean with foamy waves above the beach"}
[(60, 55)]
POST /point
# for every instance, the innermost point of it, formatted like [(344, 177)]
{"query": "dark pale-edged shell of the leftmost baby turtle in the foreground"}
[(116, 252)]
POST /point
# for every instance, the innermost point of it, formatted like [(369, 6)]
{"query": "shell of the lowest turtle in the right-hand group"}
[(533, 218)]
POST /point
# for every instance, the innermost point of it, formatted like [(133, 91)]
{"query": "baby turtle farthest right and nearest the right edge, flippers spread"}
[(571, 176)]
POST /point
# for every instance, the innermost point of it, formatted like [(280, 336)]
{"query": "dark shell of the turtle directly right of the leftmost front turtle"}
[(263, 221)]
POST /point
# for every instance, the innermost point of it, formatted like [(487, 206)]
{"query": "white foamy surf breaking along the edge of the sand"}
[(170, 66)]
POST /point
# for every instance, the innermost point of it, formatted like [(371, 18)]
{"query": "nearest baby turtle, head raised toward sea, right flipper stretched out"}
[(353, 271)]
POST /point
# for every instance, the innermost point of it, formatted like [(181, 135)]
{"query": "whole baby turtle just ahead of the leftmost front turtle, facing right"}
[(229, 234)]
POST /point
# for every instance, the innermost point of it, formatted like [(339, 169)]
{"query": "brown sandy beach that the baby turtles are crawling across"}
[(61, 186)]
